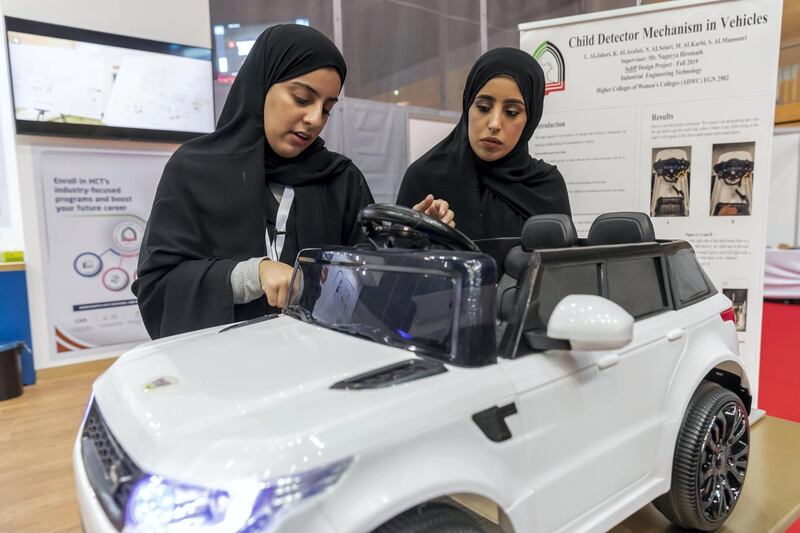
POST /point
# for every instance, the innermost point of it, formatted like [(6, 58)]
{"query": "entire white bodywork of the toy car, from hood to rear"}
[(583, 455)]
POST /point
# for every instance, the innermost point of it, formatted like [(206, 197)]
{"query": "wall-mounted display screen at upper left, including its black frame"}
[(69, 81)]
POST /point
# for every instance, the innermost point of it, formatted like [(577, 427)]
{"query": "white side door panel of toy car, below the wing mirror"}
[(567, 399)]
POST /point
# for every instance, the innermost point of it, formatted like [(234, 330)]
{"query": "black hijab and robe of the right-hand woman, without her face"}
[(452, 171)]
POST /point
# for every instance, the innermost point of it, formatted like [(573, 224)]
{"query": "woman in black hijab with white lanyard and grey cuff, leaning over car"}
[(222, 195)]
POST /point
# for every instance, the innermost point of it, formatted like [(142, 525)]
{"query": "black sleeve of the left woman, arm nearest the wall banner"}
[(180, 288)]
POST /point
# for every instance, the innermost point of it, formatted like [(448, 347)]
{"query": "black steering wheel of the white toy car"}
[(394, 226)]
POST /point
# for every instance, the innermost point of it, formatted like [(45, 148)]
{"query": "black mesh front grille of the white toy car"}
[(117, 474)]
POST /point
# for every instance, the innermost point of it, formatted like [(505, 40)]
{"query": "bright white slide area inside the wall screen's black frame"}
[(61, 80)]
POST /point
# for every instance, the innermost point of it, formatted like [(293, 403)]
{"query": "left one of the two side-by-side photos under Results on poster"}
[(669, 181)]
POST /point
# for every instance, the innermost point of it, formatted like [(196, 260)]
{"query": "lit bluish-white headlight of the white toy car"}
[(159, 504)]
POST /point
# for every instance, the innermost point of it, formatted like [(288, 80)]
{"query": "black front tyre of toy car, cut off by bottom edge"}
[(432, 518)]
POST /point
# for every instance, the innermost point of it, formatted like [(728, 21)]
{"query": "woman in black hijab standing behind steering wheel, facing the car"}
[(483, 168)]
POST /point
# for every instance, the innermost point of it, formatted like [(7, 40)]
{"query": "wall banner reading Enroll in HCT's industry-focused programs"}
[(95, 208)]
